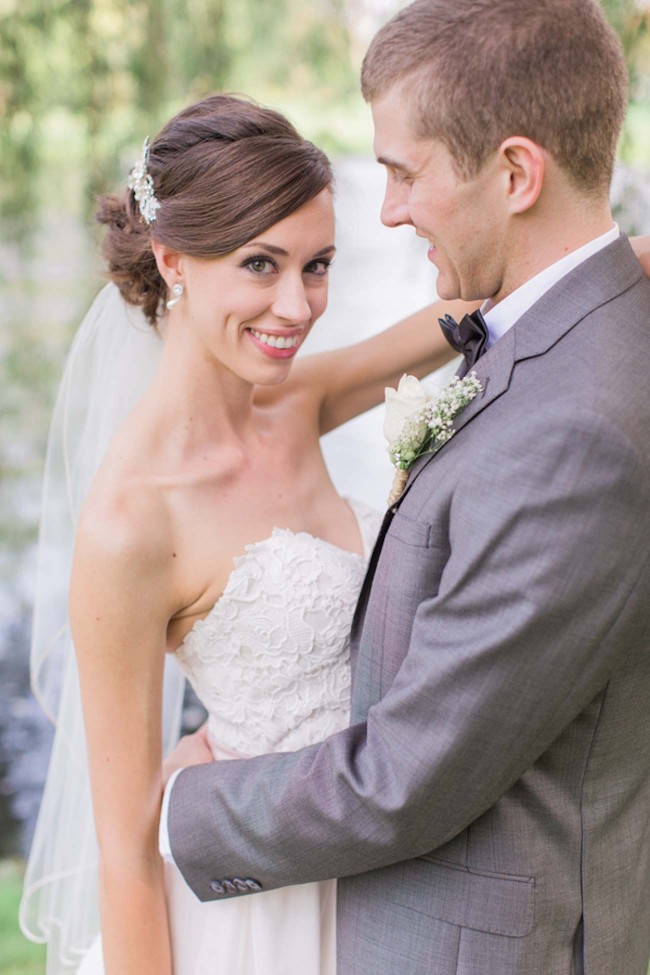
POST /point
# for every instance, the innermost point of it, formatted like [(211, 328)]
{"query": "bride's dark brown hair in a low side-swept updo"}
[(224, 170)]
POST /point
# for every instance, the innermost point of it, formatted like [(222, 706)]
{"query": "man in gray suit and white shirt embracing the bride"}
[(488, 811)]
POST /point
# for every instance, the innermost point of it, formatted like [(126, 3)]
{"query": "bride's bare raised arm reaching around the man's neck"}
[(349, 381)]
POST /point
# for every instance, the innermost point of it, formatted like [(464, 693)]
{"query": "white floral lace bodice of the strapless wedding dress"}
[(270, 662)]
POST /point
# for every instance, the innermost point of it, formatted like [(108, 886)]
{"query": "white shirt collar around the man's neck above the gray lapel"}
[(502, 316)]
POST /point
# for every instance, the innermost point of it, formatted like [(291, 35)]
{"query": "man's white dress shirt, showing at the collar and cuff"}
[(499, 318)]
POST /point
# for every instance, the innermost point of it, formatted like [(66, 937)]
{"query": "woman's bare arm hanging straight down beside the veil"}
[(120, 604)]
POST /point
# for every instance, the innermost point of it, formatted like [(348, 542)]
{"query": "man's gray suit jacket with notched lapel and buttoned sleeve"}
[(488, 810)]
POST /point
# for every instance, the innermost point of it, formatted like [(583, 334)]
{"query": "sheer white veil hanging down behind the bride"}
[(112, 361)]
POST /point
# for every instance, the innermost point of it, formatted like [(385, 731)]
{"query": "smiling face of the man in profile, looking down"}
[(463, 220)]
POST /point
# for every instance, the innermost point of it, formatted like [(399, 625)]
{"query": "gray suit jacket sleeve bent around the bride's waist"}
[(540, 600)]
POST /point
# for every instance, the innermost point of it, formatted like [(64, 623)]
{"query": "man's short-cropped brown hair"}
[(478, 71)]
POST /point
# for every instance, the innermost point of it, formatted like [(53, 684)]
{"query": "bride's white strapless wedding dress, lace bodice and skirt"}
[(270, 662)]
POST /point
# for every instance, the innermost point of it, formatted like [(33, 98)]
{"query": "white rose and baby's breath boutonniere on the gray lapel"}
[(419, 420)]
